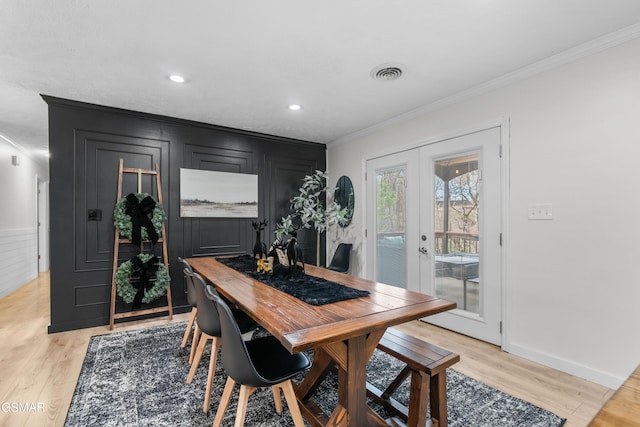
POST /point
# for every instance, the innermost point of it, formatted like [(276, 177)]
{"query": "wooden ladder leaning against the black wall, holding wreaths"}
[(118, 240)]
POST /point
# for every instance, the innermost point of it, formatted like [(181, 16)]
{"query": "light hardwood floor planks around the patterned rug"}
[(41, 370)]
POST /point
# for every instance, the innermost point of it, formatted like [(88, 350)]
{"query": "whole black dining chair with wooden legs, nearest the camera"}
[(261, 362)]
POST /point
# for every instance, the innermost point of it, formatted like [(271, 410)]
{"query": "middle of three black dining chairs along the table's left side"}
[(208, 322)]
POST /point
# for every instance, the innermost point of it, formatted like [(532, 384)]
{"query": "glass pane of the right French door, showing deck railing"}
[(457, 256)]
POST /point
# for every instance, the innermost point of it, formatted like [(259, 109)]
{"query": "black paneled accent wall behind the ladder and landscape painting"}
[(86, 142)]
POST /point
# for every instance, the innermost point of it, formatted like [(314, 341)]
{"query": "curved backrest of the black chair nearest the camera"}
[(235, 356)]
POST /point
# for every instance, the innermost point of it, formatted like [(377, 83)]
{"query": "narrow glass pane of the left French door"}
[(390, 226)]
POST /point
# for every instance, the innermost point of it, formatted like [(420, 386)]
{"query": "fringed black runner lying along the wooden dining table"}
[(310, 289)]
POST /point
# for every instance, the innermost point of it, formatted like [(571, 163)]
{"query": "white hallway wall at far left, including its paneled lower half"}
[(18, 218)]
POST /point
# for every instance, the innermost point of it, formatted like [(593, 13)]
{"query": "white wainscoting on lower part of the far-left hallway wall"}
[(18, 258)]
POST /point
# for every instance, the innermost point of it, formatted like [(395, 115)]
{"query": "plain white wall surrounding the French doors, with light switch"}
[(573, 294)]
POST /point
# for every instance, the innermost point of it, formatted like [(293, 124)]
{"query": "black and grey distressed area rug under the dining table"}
[(138, 378)]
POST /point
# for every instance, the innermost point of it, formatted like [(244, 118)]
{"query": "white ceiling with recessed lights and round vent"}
[(246, 60)]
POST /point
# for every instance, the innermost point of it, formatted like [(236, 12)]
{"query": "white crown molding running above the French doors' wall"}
[(592, 47)]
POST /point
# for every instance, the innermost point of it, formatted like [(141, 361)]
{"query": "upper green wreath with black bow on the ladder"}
[(139, 217)]
